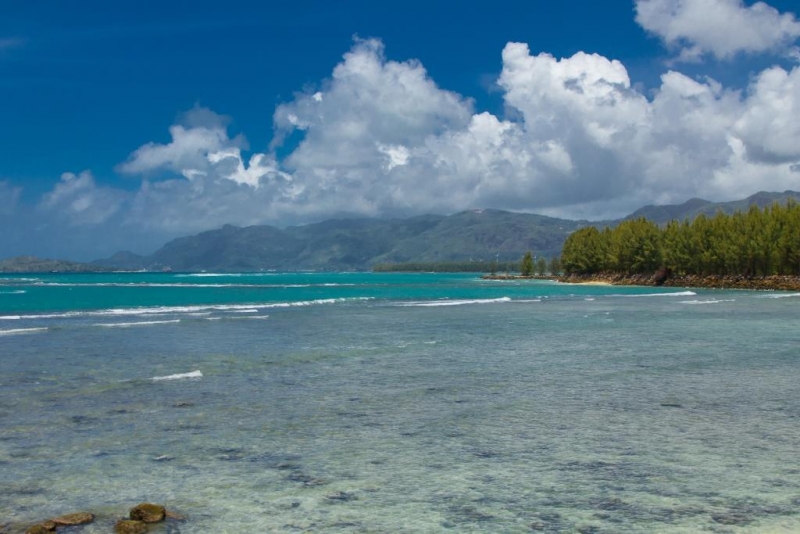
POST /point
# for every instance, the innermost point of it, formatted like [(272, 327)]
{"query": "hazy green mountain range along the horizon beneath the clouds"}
[(356, 244)]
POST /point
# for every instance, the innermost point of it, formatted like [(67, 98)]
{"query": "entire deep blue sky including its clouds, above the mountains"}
[(125, 124)]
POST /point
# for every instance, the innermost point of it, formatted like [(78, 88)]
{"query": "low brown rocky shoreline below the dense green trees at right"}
[(764, 283)]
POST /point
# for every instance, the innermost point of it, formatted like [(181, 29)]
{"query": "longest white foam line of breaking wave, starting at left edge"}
[(167, 310)]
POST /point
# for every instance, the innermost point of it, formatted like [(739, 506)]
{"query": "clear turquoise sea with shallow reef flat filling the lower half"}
[(311, 402)]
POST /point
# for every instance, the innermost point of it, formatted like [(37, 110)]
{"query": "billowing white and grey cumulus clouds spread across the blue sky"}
[(380, 137)]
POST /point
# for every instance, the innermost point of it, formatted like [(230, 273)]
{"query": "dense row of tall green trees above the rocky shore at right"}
[(757, 242)]
